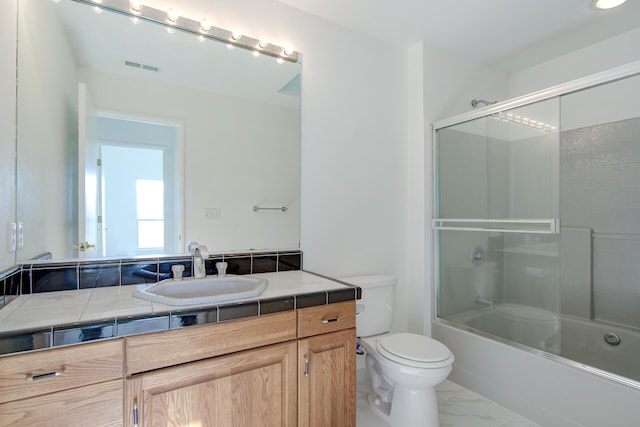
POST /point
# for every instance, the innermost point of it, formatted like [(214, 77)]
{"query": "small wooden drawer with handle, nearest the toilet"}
[(323, 319)]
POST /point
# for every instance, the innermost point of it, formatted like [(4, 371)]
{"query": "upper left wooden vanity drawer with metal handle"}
[(47, 371)]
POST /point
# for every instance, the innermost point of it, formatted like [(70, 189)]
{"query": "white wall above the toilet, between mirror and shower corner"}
[(354, 132)]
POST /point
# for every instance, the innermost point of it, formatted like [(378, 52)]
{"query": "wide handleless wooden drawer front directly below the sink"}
[(168, 348)]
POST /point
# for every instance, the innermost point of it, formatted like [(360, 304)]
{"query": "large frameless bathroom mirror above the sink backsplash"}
[(134, 138)]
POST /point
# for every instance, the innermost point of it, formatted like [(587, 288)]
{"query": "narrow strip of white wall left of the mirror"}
[(7, 127)]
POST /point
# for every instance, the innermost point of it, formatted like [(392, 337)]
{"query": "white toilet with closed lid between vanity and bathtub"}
[(404, 367)]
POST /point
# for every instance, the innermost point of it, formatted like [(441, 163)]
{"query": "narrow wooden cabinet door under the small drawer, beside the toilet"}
[(327, 386)]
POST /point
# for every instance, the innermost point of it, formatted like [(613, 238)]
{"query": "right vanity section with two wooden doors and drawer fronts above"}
[(293, 368)]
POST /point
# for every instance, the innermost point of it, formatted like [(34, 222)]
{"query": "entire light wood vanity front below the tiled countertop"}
[(294, 368)]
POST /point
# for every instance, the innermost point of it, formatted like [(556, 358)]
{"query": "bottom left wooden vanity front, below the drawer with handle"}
[(95, 405)]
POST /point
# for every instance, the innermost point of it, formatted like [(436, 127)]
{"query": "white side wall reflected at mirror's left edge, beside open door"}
[(49, 97)]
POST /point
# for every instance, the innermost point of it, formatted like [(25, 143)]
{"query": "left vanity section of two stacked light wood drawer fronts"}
[(63, 386)]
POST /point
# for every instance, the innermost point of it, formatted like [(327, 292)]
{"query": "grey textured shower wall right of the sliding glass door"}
[(604, 194)]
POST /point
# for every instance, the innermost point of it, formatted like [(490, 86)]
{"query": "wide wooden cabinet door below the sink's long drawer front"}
[(250, 388)]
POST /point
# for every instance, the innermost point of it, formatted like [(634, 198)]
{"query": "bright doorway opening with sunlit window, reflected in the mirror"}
[(136, 188)]
